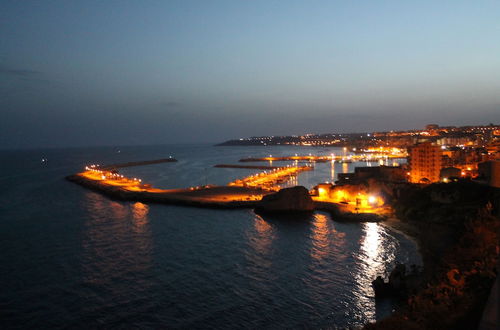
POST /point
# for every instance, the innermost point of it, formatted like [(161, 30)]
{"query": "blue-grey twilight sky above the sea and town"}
[(88, 72)]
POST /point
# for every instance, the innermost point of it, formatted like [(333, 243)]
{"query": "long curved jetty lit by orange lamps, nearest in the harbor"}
[(247, 192)]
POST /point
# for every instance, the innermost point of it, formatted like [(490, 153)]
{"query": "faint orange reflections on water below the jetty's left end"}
[(112, 247)]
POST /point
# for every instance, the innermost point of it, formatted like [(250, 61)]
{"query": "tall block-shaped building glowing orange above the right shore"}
[(425, 163)]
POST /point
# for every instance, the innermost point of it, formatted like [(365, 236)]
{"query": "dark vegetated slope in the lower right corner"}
[(457, 226)]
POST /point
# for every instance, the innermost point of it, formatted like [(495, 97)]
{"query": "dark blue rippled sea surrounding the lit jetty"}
[(72, 258)]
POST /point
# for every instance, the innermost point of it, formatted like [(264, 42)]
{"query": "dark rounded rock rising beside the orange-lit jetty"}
[(287, 200)]
